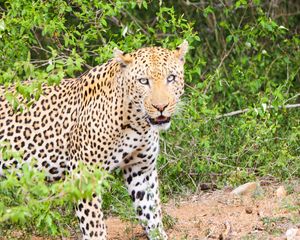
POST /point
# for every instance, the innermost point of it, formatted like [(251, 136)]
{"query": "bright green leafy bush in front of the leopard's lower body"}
[(30, 202)]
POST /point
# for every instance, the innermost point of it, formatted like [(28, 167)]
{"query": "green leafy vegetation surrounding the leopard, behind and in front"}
[(244, 55)]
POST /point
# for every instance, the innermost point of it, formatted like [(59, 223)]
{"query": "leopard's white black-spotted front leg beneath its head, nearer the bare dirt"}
[(142, 184)]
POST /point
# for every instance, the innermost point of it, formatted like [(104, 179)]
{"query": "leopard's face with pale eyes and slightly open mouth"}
[(155, 79)]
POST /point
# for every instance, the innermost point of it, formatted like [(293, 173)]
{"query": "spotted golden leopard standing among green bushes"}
[(113, 115)]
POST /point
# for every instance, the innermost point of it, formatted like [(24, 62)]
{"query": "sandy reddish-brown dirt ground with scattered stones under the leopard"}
[(264, 213)]
